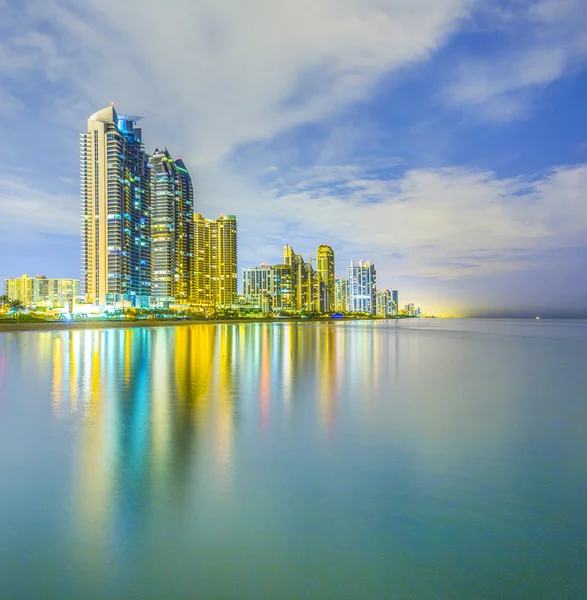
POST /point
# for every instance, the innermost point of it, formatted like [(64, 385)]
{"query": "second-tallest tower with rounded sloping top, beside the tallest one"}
[(172, 225)]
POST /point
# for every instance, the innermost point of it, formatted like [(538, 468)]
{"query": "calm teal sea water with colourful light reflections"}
[(421, 459)]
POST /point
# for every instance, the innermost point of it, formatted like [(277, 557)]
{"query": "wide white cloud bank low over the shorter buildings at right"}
[(450, 222)]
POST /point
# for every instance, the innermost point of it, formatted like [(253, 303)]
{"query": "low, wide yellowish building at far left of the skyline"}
[(41, 291)]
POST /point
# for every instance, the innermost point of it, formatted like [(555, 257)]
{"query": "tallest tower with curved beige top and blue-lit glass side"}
[(116, 209)]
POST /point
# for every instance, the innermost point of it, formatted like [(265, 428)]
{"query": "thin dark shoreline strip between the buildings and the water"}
[(13, 327)]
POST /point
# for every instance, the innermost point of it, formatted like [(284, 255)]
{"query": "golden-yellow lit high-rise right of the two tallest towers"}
[(215, 262)]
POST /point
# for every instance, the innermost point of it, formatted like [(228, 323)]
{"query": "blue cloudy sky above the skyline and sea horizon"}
[(445, 140)]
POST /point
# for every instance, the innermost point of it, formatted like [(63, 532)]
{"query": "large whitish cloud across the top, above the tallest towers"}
[(211, 75)]
